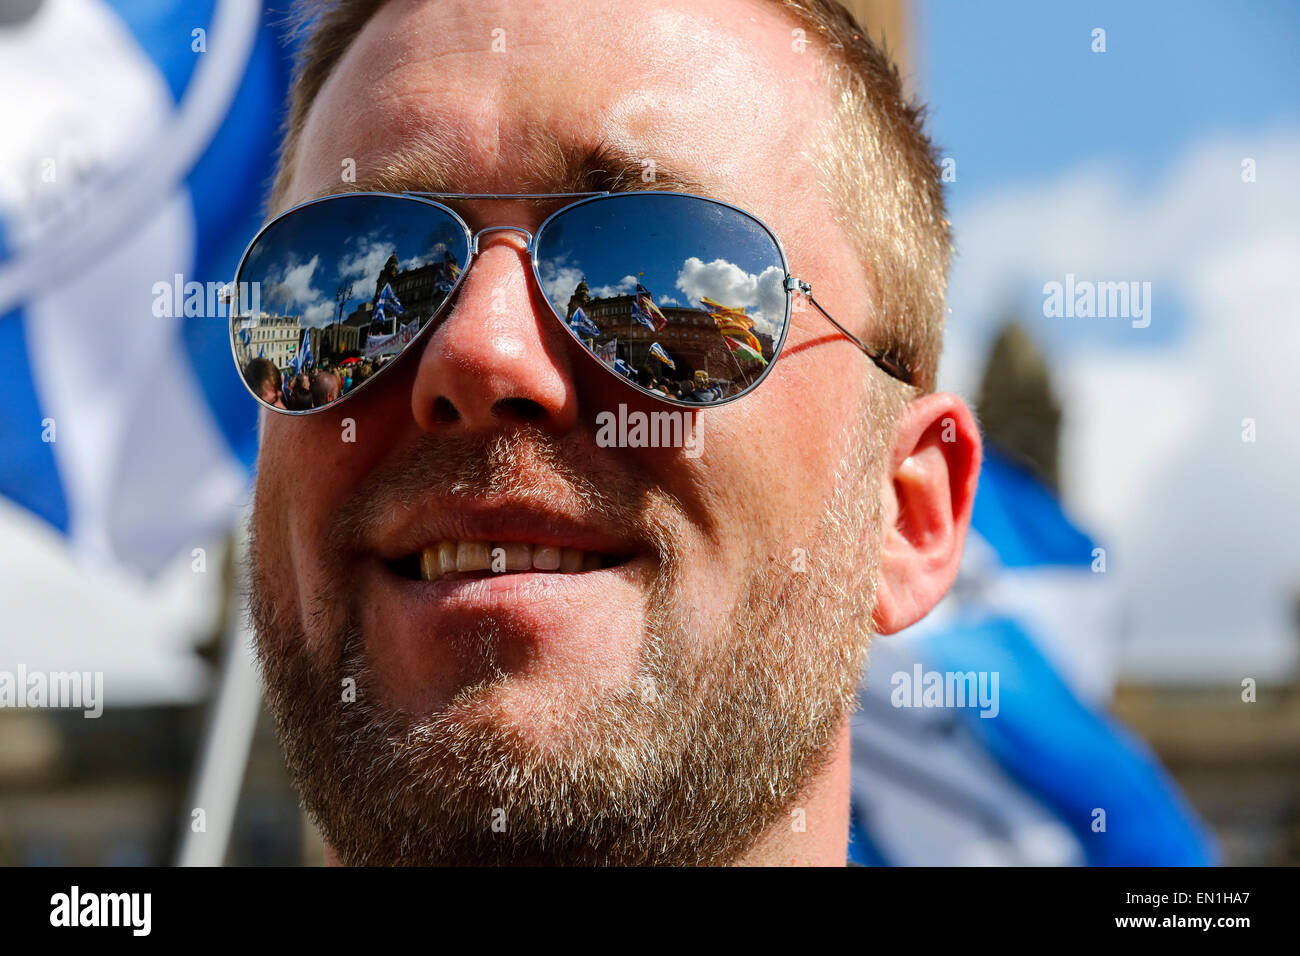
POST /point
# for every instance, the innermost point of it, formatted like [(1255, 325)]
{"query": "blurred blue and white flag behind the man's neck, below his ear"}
[(983, 738)]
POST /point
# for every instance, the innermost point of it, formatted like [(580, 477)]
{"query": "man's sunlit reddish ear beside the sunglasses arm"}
[(928, 500)]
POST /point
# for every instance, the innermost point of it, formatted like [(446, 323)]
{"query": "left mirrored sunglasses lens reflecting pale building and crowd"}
[(333, 292)]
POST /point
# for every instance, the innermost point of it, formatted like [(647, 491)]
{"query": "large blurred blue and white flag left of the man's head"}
[(137, 152)]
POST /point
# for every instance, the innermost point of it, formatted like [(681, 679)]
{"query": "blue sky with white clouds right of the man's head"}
[(1126, 166)]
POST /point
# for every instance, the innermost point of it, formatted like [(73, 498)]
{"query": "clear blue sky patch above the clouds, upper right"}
[(1171, 75)]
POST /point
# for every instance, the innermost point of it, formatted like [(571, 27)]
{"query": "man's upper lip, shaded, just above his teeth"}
[(497, 522)]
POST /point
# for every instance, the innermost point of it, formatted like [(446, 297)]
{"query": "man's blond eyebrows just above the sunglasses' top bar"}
[(431, 165)]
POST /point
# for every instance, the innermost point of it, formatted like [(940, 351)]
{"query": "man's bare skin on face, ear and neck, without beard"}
[(423, 68)]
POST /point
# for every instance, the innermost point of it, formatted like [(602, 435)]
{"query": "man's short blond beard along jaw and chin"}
[(686, 764)]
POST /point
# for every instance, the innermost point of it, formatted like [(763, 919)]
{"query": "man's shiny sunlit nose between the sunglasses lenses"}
[(499, 358)]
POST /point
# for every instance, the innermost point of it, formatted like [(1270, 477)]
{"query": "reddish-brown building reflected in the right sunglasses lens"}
[(691, 339)]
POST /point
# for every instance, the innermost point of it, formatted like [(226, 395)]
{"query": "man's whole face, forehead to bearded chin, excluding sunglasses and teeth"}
[(670, 704)]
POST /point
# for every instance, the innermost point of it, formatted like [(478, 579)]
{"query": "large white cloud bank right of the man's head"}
[(1202, 529)]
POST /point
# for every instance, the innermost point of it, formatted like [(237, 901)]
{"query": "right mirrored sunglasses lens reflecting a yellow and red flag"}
[(682, 296)]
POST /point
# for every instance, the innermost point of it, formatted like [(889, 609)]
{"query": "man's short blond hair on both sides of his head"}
[(876, 163)]
